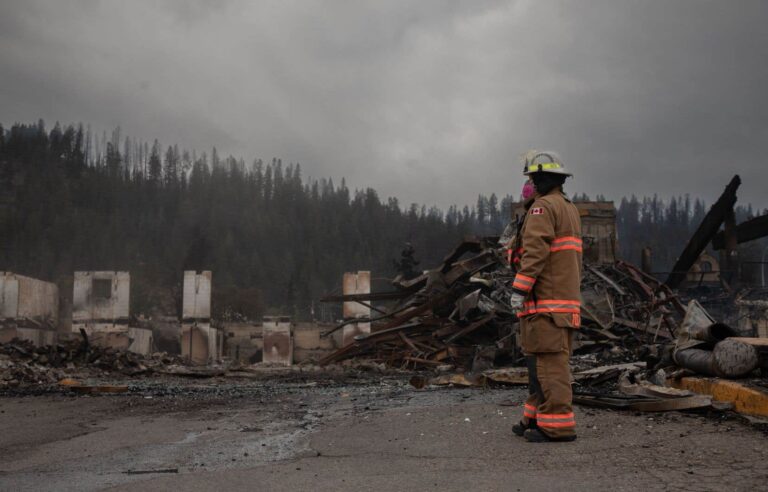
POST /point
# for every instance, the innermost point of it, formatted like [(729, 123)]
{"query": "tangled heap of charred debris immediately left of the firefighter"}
[(455, 315)]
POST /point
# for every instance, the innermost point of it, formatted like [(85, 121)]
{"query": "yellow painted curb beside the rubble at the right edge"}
[(750, 401)]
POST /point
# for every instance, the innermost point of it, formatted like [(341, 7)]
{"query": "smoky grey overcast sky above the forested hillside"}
[(429, 101)]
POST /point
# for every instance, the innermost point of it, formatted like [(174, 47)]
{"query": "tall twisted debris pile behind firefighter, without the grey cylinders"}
[(458, 315)]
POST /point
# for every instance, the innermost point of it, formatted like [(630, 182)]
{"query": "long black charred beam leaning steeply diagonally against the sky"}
[(704, 234)]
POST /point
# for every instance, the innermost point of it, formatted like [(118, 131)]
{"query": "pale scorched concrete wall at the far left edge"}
[(25, 297)]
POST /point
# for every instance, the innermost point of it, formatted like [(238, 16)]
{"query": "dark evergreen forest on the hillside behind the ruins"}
[(275, 242)]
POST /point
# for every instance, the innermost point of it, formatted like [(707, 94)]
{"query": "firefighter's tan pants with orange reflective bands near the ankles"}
[(547, 348)]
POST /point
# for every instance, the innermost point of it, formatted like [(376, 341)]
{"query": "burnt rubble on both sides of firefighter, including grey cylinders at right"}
[(636, 331)]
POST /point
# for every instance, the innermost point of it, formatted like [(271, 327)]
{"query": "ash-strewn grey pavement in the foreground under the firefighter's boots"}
[(352, 431)]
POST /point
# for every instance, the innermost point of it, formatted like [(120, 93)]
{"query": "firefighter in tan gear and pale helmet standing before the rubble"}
[(547, 299)]
